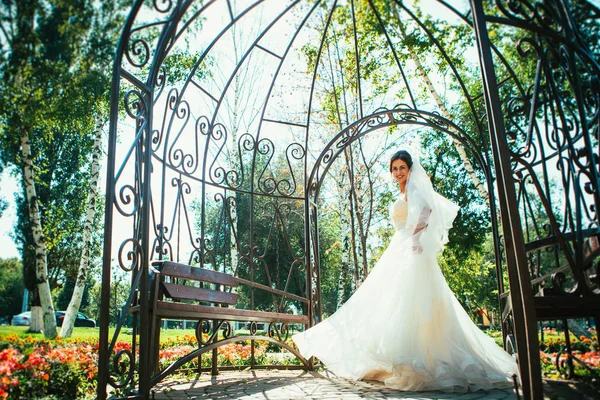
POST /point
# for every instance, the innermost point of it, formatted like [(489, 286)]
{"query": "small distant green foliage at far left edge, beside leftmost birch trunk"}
[(11, 286)]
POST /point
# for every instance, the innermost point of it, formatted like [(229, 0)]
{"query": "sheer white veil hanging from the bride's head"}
[(429, 210)]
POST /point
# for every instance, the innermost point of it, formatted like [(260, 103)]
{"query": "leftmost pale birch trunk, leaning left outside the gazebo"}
[(41, 267)]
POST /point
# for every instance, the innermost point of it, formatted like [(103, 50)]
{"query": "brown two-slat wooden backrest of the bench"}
[(184, 292)]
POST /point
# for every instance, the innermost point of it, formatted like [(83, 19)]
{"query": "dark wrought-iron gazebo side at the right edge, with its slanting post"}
[(551, 122)]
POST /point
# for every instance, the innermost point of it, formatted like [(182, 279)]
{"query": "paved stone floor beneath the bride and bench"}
[(296, 384)]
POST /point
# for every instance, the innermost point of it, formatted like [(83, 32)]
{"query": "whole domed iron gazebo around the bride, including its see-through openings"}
[(227, 116)]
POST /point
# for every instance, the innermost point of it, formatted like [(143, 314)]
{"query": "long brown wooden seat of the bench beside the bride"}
[(195, 312)]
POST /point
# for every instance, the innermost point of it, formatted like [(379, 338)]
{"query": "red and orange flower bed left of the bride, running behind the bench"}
[(67, 368)]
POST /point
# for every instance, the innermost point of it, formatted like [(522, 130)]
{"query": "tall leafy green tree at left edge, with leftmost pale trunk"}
[(49, 100)]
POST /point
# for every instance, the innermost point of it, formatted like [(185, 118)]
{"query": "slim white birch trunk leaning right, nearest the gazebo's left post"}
[(88, 228)]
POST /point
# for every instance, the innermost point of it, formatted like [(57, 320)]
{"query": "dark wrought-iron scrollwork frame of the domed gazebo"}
[(565, 91)]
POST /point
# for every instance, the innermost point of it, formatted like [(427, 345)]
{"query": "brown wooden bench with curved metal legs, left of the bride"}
[(180, 291)]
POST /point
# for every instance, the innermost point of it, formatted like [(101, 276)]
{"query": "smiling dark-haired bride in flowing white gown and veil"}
[(403, 326)]
